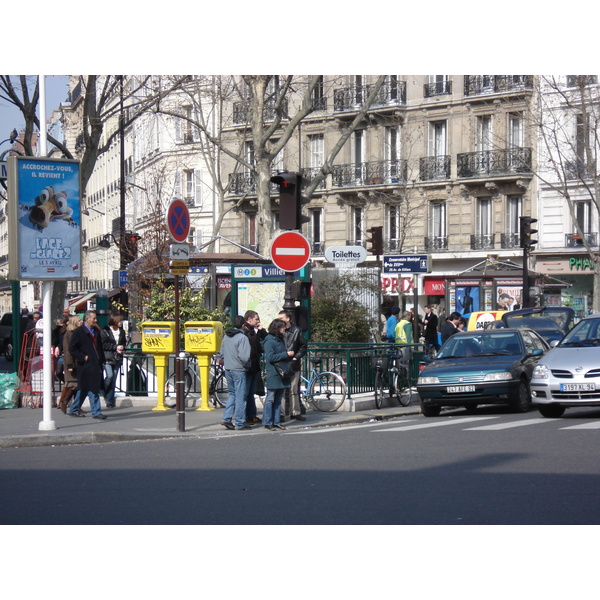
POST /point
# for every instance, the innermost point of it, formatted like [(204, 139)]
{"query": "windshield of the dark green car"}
[(492, 343)]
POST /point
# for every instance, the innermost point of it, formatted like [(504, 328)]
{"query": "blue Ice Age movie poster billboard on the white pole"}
[(45, 218)]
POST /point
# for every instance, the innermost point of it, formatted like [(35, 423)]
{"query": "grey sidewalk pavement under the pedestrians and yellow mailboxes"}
[(135, 419)]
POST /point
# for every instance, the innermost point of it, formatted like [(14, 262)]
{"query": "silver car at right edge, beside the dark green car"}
[(569, 375)]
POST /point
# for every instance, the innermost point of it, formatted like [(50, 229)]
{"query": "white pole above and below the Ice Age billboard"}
[(47, 424)]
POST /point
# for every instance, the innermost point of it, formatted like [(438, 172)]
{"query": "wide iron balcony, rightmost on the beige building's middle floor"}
[(494, 162)]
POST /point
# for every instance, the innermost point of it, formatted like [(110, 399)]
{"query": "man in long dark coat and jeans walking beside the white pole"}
[(86, 350)]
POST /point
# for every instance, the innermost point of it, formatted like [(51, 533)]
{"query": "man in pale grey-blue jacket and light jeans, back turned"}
[(235, 349)]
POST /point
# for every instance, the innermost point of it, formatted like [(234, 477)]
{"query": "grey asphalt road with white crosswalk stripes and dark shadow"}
[(488, 468)]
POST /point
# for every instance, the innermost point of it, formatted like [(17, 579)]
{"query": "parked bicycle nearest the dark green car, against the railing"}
[(395, 378)]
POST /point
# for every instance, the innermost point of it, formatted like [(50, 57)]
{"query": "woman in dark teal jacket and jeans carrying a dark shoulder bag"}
[(275, 352)]
